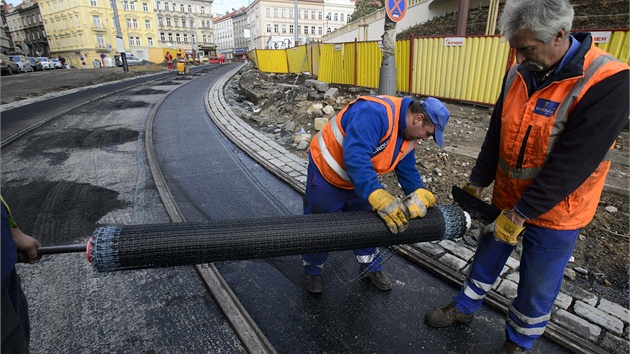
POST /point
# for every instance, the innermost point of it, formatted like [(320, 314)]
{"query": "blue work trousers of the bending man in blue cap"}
[(322, 197)]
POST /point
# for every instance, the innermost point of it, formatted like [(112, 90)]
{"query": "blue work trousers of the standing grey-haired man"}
[(546, 253)]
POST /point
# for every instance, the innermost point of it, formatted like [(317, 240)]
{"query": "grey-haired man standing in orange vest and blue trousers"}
[(562, 106)]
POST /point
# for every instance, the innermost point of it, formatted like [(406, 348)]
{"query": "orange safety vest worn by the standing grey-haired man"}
[(538, 134)]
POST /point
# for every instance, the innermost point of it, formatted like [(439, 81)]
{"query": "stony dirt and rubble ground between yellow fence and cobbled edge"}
[(601, 256)]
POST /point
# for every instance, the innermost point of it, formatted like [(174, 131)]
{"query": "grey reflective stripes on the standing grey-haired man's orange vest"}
[(562, 115)]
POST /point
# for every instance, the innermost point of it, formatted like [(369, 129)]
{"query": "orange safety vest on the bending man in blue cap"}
[(326, 148)]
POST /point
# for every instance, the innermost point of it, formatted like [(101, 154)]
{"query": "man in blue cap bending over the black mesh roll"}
[(371, 136)]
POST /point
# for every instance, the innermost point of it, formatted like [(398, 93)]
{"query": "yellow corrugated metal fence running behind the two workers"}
[(459, 68)]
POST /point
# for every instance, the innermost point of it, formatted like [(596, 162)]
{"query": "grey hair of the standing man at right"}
[(543, 18)]
